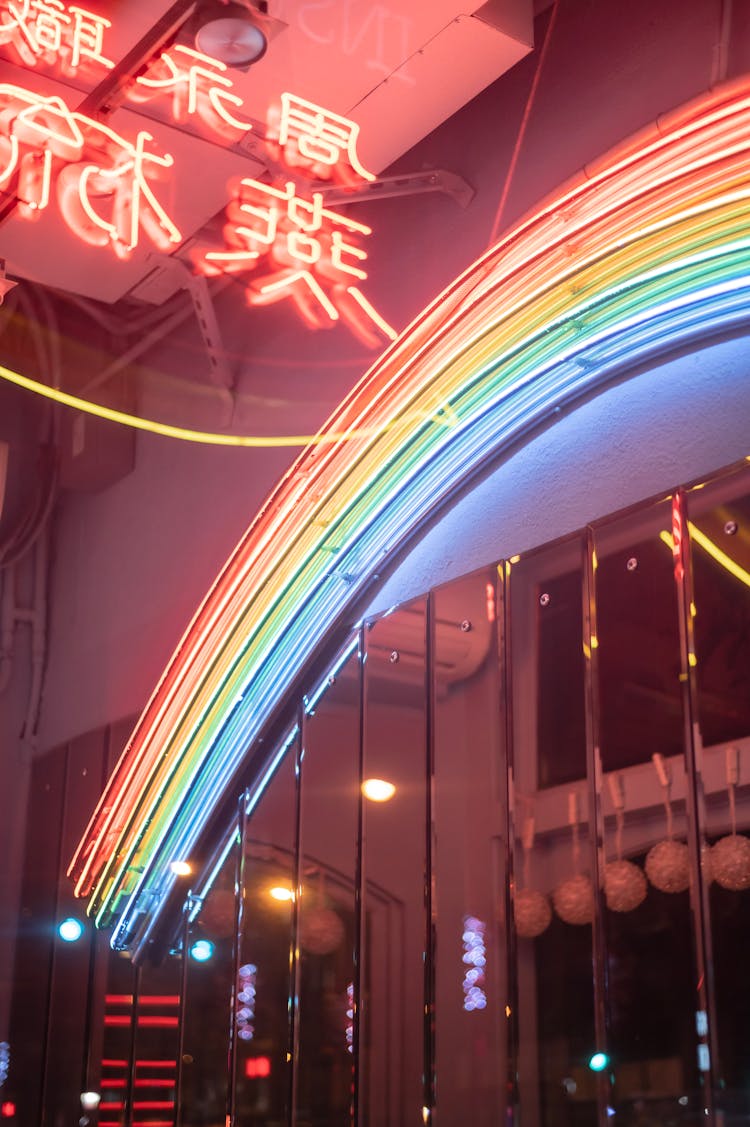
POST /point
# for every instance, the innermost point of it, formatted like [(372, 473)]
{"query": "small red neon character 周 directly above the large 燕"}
[(305, 136)]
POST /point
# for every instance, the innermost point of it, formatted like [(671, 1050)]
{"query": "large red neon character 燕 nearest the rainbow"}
[(315, 259)]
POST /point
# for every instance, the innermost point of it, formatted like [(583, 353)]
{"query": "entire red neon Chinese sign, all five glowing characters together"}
[(103, 182)]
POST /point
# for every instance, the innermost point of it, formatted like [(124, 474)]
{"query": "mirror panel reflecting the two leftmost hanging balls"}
[(553, 845)]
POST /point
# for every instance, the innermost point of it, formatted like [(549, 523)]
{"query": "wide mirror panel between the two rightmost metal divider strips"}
[(648, 924)]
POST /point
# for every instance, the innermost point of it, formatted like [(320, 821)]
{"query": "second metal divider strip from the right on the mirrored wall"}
[(596, 818)]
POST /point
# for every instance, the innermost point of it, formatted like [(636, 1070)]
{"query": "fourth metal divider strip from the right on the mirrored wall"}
[(430, 922)]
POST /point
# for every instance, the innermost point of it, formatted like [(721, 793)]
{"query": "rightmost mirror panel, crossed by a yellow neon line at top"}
[(720, 539)]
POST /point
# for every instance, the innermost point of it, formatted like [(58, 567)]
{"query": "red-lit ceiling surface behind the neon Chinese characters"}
[(398, 70)]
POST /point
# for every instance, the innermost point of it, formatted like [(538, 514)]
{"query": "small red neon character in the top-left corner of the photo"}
[(50, 32)]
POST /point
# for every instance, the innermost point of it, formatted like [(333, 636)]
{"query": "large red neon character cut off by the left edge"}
[(102, 180)]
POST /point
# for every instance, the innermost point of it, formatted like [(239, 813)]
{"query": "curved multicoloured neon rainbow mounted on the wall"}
[(642, 254)]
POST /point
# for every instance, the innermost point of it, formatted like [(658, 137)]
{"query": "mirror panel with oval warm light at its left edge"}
[(393, 1022)]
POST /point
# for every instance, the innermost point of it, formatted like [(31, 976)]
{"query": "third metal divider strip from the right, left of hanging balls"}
[(513, 1111)]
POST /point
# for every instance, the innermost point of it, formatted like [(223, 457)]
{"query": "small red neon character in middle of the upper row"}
[(199, 86)]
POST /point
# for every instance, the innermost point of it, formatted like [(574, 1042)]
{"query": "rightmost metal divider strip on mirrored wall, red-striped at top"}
[(696, 810)]
